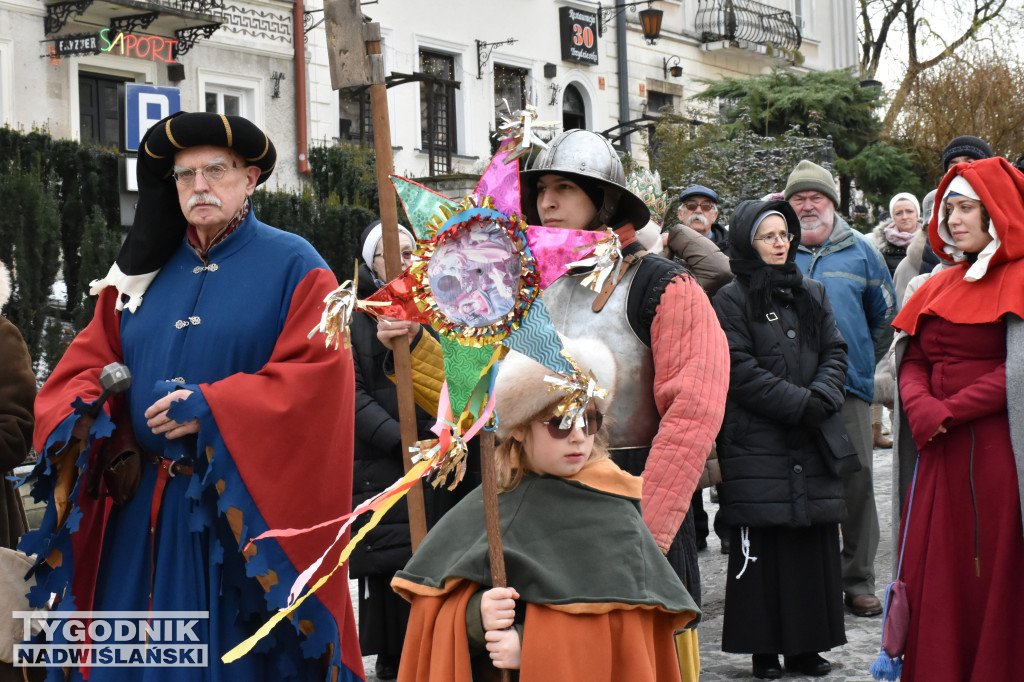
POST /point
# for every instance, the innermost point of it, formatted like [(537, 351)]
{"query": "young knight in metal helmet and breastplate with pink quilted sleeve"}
[(670, 351)]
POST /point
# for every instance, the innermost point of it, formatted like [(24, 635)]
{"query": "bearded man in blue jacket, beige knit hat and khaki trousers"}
[(862, 294)]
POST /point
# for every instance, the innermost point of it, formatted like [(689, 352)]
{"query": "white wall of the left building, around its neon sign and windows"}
[(255, 41)]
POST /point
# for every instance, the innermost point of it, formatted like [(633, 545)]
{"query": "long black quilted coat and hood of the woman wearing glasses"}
[(774, 471)]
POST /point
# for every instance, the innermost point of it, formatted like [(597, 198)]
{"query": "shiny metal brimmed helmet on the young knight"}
[(588, 156)]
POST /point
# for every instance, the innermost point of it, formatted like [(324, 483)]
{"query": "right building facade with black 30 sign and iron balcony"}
[(580, 64)]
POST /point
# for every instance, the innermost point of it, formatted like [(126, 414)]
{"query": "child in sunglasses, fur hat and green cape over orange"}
[(590, 596)]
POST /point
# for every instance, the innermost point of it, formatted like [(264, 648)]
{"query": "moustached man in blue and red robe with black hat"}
[(235, 424)]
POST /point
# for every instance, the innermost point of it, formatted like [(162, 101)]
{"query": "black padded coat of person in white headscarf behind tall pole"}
[(378, 450)]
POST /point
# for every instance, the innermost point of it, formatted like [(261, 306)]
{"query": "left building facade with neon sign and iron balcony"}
[(64, 67)]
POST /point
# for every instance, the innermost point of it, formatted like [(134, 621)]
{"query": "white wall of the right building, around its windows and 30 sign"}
[(454, 26)]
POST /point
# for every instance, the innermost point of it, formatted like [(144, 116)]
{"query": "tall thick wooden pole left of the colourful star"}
[(394, 268)]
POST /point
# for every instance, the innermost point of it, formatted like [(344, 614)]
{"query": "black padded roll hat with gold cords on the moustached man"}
[(185, 130)]
